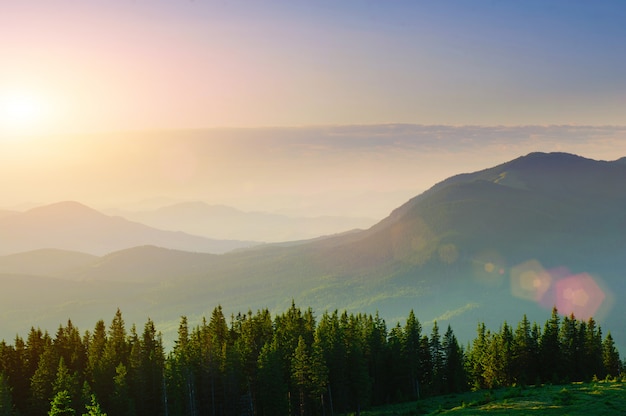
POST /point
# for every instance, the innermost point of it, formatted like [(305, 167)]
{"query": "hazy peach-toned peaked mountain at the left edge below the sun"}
[(76, 227)]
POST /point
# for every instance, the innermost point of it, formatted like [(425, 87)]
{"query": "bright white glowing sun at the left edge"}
[(21, 113)]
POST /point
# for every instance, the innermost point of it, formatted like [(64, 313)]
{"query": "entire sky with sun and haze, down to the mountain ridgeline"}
[(304, 107)]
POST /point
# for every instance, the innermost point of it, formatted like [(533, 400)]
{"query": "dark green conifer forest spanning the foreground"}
[(289, 364)]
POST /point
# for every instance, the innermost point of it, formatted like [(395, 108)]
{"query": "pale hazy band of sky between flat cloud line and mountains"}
[(344, 170)]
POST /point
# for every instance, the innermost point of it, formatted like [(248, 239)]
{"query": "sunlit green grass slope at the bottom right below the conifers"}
[(598, 398)]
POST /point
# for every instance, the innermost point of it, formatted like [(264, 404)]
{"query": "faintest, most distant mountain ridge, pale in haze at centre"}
[(220, 221)]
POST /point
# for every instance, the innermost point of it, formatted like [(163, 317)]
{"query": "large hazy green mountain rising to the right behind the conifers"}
[(538, 231)]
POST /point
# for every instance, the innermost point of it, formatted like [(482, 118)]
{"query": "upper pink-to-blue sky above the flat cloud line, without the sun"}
[(136, 64)]
